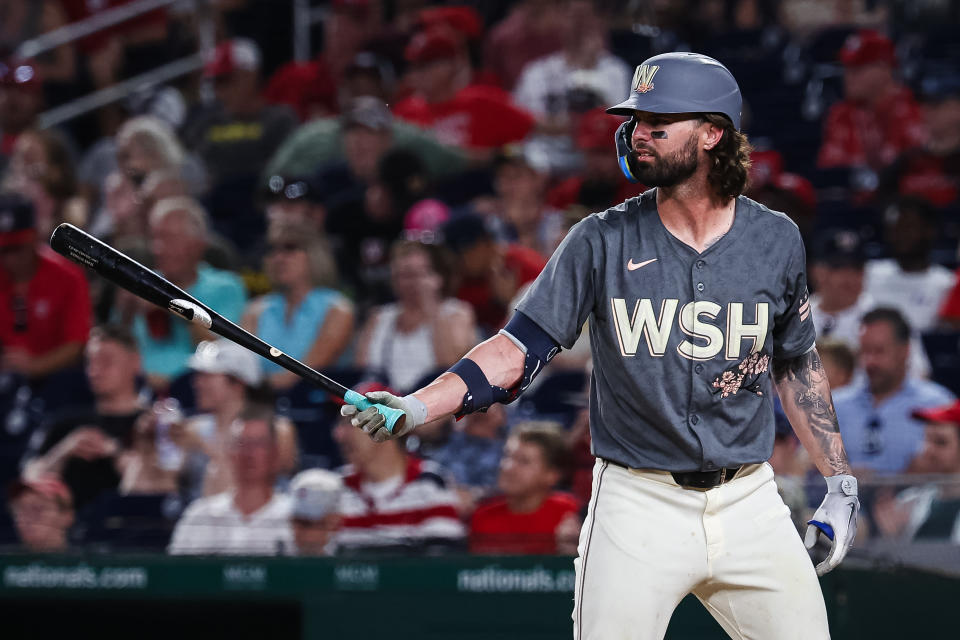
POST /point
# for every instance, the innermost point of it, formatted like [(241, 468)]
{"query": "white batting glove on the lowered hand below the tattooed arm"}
[(836, 519)]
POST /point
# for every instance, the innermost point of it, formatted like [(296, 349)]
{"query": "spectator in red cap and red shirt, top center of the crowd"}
[(459, 113)]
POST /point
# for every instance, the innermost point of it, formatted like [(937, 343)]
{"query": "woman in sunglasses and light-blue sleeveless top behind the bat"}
[(304, 316)]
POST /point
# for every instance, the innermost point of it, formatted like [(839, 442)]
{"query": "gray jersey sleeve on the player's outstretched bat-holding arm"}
[(563, 295)]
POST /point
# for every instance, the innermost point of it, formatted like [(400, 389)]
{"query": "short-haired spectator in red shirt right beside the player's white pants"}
[(530, 517)]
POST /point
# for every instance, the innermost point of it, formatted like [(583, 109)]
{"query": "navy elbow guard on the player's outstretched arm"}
[(538, 348)]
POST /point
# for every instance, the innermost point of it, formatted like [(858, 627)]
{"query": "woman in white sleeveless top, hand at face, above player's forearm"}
[(425, 330)]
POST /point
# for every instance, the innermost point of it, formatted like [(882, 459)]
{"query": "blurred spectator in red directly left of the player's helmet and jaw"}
[(599, 184)]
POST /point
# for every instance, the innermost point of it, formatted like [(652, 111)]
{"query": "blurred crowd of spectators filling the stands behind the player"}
[(374, 211)]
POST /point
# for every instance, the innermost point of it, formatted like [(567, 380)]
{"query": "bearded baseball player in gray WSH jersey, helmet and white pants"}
[(698, 308)]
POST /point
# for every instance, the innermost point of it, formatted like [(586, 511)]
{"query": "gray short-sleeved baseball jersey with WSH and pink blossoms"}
[(681, 341)]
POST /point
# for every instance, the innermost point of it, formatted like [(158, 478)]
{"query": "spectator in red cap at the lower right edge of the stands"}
[(929, 512)]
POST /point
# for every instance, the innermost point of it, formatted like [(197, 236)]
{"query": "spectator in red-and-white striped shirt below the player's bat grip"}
[(392, 500)]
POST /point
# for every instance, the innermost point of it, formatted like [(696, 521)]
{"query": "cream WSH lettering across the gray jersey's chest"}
[(707, 338)]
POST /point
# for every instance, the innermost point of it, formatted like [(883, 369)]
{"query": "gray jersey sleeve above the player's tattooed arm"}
[(792, 334)]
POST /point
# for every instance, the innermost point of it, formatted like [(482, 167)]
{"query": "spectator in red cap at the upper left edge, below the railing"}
[(21, 99)]
